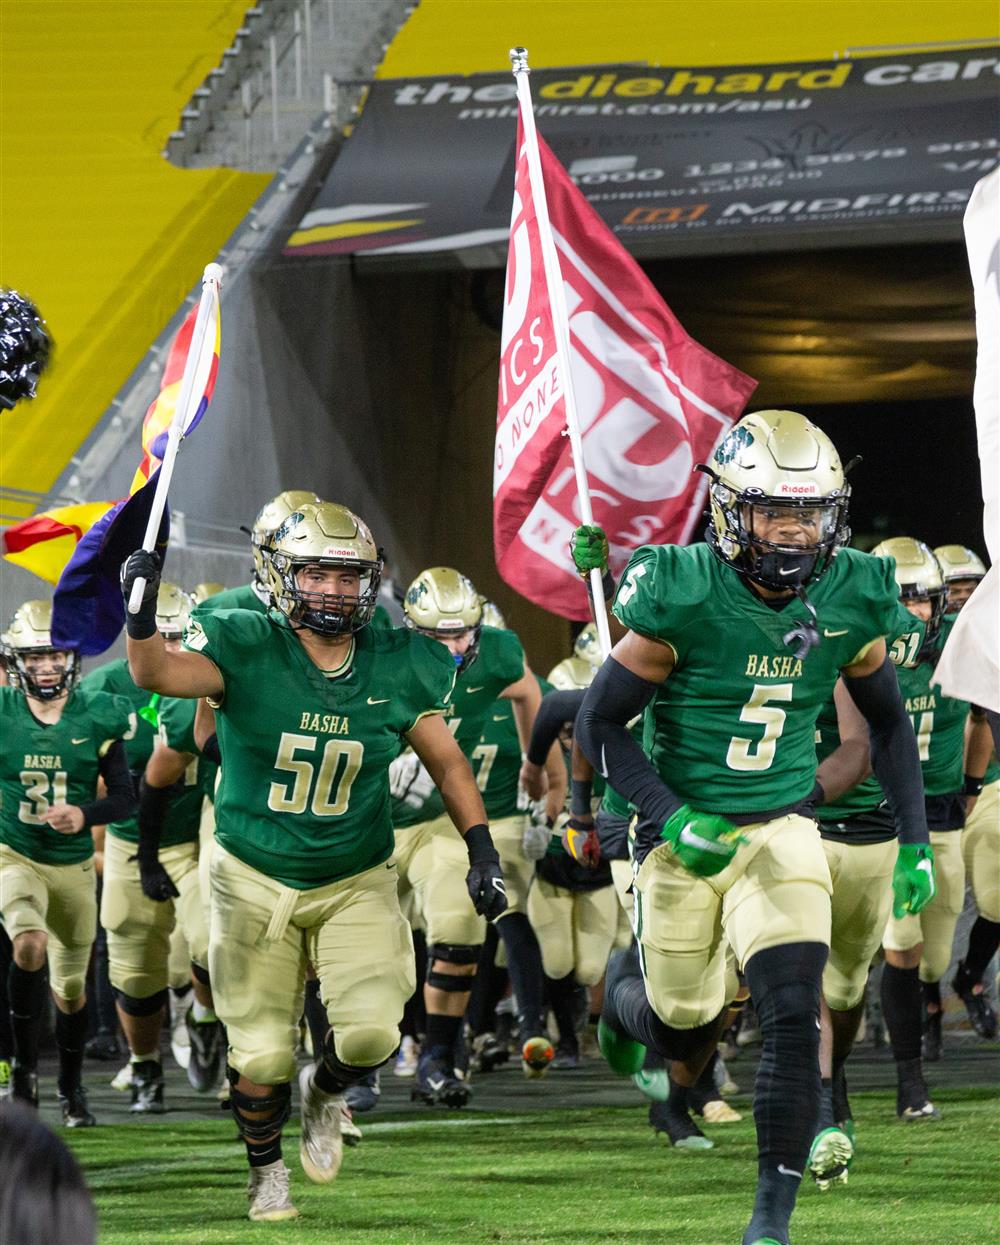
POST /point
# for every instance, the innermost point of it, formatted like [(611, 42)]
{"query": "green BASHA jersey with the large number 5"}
[(733, 729)]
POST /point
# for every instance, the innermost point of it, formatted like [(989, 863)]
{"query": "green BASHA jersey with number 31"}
[(54, 764)]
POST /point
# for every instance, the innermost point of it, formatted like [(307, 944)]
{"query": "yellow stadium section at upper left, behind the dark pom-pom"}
[(98, 228)]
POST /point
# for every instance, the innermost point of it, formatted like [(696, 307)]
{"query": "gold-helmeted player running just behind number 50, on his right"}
[(490, 665)]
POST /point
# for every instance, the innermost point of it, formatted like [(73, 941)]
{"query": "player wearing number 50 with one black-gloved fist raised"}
[(313, 705)]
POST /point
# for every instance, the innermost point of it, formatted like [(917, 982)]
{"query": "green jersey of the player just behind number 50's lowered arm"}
[(500, 663)]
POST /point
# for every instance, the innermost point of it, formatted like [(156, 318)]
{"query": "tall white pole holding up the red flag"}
[(561, 323)]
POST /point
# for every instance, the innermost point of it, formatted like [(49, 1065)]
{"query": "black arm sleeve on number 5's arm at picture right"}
[(895, 758)]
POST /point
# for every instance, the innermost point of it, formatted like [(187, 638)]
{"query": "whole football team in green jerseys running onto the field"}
[(757, 794)]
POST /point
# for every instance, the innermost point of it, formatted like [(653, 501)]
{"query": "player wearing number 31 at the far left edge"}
[(57, 744)]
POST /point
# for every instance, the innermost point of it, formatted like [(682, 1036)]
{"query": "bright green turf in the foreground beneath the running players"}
[(591, 1175)]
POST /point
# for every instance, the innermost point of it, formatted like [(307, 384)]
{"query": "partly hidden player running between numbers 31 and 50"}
[(151, 885)]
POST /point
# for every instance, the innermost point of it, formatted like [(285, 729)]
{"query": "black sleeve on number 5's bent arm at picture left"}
[(613, 700)]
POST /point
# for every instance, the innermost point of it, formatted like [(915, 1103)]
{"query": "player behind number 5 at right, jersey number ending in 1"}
[(940, 723)]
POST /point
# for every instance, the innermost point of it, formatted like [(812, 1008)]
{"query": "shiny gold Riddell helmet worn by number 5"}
[(779, 500)]
